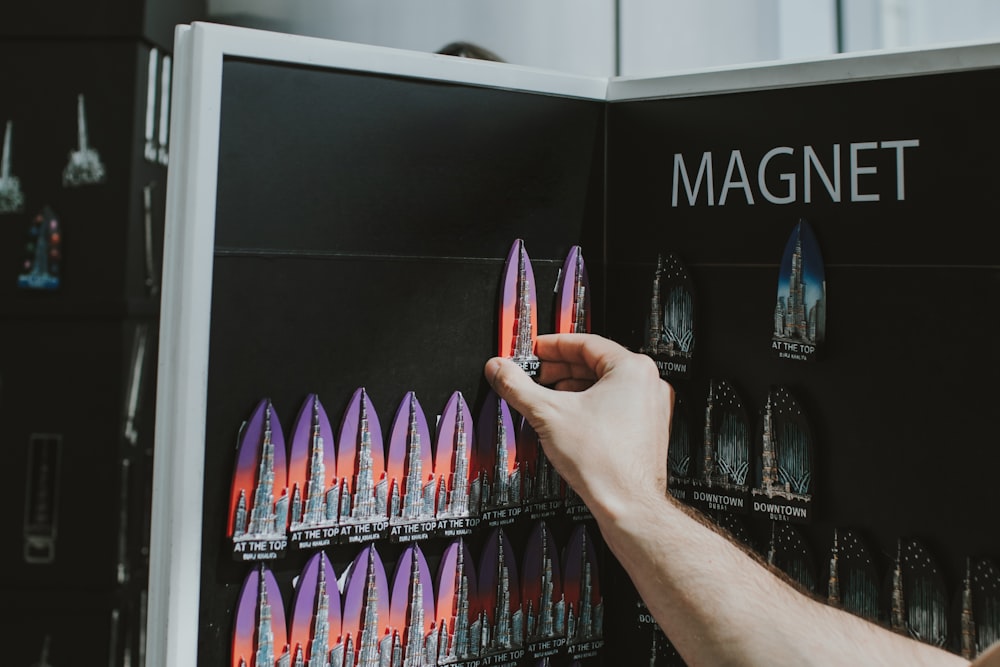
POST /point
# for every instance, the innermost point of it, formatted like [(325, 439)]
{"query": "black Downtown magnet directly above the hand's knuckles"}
[(670, 327)]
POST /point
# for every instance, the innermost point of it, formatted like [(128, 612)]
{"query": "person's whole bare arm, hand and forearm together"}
[(603, 415)]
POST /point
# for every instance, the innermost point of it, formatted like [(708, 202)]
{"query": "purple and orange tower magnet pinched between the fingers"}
[(519, 310)]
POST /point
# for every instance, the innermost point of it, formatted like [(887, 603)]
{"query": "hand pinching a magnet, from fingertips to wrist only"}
[(604, 423)]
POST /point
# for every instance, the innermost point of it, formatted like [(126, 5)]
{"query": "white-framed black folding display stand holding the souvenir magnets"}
[(339, 216)]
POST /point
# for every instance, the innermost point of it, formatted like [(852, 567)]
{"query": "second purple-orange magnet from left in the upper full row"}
[(312, 478)]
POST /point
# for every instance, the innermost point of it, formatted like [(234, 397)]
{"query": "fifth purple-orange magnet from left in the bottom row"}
[(460, 623)]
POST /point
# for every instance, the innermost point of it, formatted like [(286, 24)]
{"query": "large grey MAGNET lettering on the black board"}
[(694, 179)]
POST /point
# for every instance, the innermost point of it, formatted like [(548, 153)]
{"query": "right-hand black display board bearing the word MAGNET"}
[(901, 398)]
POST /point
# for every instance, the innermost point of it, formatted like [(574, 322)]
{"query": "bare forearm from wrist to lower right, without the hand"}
[(720, 606)]
